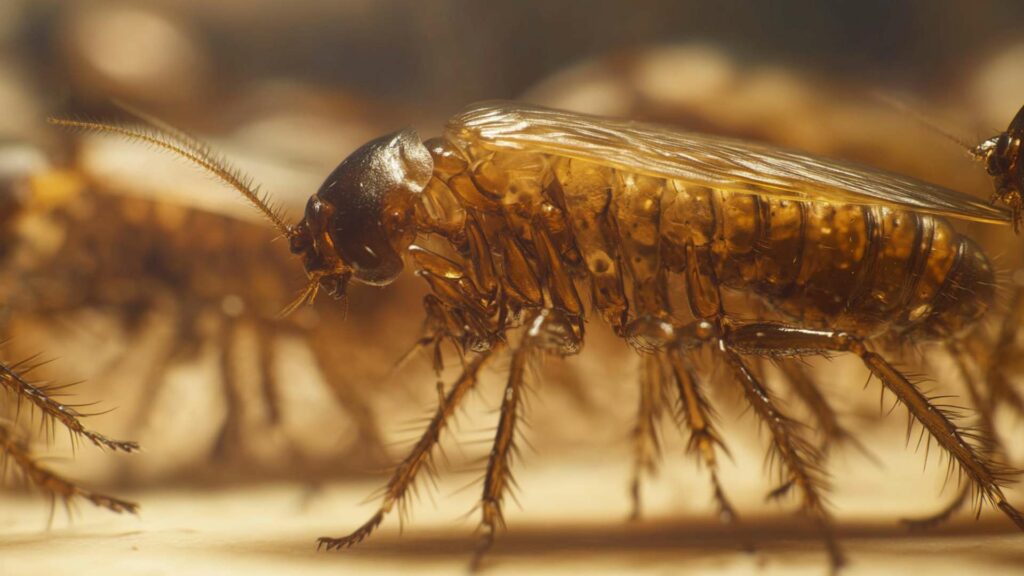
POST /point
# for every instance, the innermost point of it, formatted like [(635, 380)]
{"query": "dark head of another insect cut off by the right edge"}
[(1004, 157)]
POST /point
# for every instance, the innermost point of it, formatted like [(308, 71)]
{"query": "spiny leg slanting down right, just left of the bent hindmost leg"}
[(801, 460)]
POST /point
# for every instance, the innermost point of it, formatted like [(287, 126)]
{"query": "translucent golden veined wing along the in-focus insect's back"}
[(711, 161)]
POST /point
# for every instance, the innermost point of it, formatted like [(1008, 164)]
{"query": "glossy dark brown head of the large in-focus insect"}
[(361, 220)]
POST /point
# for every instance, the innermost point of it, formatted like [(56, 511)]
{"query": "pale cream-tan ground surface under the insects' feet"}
[(571, 520)]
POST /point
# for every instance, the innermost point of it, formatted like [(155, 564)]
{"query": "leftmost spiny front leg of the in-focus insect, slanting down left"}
[(420, 458)]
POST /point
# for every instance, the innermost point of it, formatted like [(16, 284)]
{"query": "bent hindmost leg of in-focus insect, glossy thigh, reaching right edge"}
[(987, 475)]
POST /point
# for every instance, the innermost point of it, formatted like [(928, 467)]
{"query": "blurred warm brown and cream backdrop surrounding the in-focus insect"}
[(160, 292)]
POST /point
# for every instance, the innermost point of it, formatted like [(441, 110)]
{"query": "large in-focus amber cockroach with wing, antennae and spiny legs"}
[(525, 222)]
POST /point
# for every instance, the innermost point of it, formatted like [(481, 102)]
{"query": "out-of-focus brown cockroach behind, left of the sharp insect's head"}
[(191, 265)]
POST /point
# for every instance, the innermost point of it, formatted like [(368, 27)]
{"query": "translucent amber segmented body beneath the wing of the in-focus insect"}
[(635, 238)]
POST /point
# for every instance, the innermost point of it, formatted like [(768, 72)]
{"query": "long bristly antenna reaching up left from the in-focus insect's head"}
[(158, 134)]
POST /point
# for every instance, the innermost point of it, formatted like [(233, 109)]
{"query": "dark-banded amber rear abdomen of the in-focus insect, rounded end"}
[(842, 267)]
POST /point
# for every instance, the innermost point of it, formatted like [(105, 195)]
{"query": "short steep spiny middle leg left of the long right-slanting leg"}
[(697, 414)]
